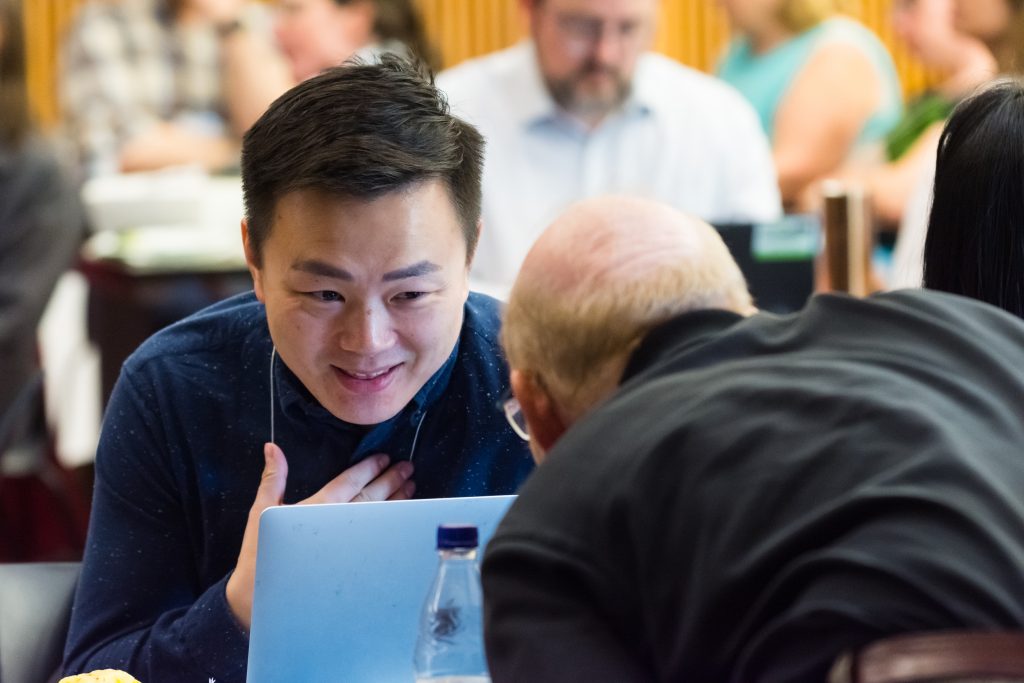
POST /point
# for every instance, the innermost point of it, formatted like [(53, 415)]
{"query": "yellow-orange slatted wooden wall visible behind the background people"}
[(692, 31)]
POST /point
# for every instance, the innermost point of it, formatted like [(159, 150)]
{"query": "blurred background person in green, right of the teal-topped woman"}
[(927, 29)]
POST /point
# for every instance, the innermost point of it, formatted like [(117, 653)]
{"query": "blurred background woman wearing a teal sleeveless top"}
[(824, 86)]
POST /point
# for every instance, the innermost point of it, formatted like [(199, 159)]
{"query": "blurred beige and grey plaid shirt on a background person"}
[(126, 66)]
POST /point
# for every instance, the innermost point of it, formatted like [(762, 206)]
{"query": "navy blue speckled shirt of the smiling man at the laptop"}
[(181, 459)]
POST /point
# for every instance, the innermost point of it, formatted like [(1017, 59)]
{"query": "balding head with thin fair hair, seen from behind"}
[(604, 275)]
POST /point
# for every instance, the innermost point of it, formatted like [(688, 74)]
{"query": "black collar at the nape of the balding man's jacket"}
[(676, 337)]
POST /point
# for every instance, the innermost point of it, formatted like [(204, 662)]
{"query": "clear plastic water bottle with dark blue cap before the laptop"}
[(450, 648)]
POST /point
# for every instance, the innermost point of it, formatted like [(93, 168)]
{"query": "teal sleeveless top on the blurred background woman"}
[(764, 79)]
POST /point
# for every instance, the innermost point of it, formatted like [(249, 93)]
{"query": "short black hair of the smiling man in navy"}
[(361, 131)]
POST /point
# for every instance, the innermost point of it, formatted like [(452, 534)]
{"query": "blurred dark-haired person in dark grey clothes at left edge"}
[(41, 224)]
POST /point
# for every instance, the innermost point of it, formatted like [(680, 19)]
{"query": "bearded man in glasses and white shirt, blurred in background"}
[(582, 109)]
